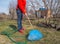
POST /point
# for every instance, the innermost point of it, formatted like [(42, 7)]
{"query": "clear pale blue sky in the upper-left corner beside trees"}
[(4, 5)]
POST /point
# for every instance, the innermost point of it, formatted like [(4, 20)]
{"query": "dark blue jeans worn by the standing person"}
[(19, 18)]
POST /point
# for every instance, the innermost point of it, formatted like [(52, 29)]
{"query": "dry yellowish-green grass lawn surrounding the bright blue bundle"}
[(51, 36)]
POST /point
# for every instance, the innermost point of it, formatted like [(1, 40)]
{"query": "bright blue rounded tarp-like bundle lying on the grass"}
[(35, 35)]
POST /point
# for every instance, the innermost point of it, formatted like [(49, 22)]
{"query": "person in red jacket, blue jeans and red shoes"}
[(20, 10)]
